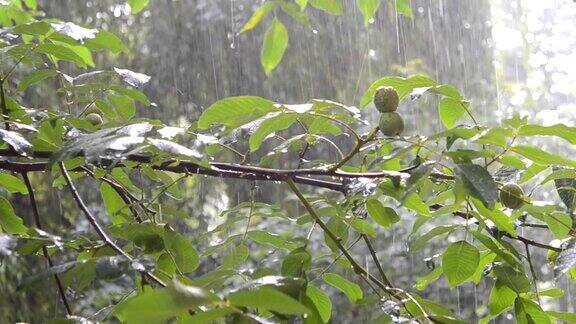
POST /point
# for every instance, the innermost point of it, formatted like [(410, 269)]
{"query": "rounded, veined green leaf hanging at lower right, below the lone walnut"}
[(459, 262)]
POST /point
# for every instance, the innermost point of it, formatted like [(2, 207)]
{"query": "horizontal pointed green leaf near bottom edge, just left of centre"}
[(267, 298)]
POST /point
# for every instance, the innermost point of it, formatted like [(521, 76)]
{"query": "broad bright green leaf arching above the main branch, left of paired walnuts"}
[(235, 111)]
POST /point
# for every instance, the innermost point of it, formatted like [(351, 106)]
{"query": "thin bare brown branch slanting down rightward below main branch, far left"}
[(98, 228)]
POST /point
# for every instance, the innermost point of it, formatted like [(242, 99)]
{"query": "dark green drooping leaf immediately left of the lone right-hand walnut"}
[(479, 183)]
